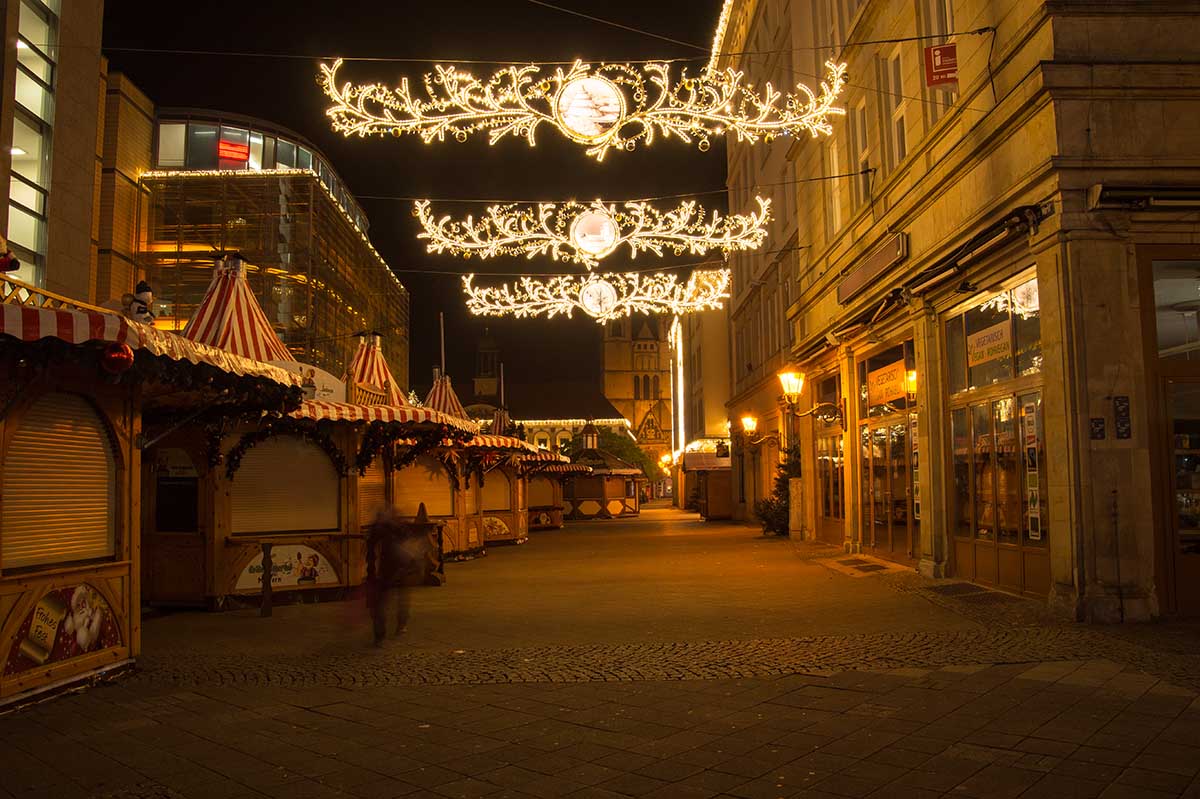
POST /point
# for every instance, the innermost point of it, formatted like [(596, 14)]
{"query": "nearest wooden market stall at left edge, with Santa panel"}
[(85, 393)]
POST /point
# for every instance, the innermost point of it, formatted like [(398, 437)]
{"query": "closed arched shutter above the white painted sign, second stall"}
[(286, 485)]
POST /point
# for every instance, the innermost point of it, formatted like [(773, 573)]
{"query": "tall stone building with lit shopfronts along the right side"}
[(1001, 292)]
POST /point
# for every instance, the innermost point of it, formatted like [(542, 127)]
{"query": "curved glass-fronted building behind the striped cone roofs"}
[(229, 183)]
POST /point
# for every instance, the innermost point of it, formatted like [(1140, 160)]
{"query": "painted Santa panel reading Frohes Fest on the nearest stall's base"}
[(65, 623)]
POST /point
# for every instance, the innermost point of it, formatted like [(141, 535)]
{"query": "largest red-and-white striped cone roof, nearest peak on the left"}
[(230, 317)]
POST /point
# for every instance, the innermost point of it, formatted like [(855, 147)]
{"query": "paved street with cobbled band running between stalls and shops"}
[(653, 658)]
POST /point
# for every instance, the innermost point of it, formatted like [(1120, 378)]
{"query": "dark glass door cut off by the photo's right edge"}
[(1184, 539)]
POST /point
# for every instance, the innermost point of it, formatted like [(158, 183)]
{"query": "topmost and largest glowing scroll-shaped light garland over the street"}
[(611, 106)]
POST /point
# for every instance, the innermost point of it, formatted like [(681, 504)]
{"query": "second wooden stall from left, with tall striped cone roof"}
[(293, 491)]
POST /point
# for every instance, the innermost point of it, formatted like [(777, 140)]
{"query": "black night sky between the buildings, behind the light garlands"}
[(285, 92)]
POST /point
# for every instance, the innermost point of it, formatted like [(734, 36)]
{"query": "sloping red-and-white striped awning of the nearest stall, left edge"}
[(81, 325)]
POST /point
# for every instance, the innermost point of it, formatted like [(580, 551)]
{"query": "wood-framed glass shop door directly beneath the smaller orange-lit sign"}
[(890, 519)]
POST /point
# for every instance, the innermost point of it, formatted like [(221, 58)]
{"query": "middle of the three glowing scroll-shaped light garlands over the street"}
[(585, 235)]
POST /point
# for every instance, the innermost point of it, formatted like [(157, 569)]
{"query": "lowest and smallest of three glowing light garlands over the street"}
[(604, 298)]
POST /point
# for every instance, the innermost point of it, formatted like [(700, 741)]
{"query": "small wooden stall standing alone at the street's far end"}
[(609, 491)]
